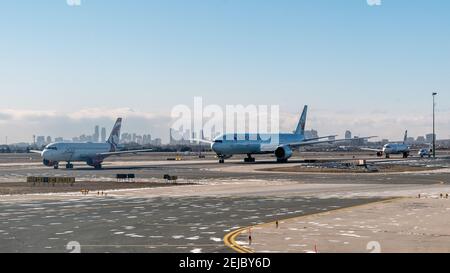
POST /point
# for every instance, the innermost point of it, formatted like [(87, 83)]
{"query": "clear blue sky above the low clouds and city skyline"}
[(149, 55)]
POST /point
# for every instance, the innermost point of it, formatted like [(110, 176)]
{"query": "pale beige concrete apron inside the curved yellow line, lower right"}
[(404, 225)]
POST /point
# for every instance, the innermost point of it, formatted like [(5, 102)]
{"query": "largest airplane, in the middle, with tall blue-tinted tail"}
[(282, 145)]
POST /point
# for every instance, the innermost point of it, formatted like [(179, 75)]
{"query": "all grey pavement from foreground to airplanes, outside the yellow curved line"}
[(187, 218)]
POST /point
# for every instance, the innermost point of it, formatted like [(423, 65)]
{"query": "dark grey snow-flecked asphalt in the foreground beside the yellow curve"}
[(187, 224)]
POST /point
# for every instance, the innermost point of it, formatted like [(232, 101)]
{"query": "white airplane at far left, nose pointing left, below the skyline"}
[(91, 153)]
